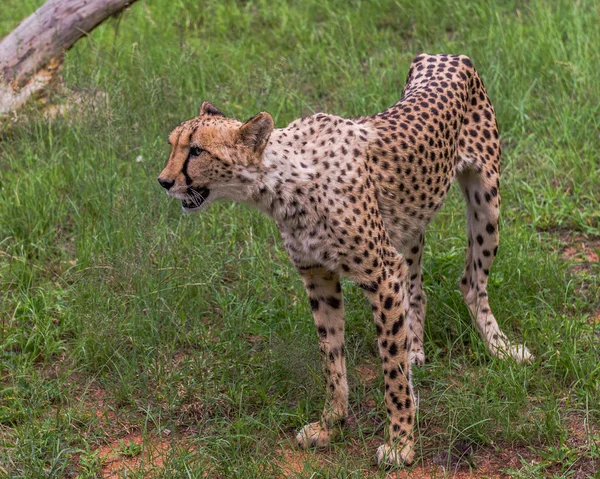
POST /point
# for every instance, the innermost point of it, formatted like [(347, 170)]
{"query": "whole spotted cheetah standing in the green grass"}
[(352, 198)]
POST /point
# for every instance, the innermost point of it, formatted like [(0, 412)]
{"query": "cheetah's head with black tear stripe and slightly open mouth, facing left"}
[(214, 157)]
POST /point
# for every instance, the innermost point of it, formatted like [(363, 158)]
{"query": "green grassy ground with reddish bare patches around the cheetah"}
[(139, 342)]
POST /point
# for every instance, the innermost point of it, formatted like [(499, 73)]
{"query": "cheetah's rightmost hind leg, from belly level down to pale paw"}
[(483, 202)]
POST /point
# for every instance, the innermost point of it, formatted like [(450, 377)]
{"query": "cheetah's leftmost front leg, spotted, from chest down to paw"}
[(325, 293)]
